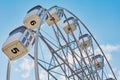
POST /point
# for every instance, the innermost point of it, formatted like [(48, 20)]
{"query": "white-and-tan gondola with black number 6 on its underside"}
[(34, 16)]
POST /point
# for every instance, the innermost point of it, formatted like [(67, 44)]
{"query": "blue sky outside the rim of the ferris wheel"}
[(102, 17)]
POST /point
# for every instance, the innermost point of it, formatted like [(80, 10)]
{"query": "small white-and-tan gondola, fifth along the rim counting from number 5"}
[(85, 41)]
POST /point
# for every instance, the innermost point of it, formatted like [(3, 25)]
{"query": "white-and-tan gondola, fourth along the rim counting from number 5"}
[(70, 25)]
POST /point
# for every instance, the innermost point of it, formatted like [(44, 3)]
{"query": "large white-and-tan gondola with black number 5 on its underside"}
[(18, 43)]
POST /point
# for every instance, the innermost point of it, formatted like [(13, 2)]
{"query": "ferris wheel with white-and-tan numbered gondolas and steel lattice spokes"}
[(63, 46)]
